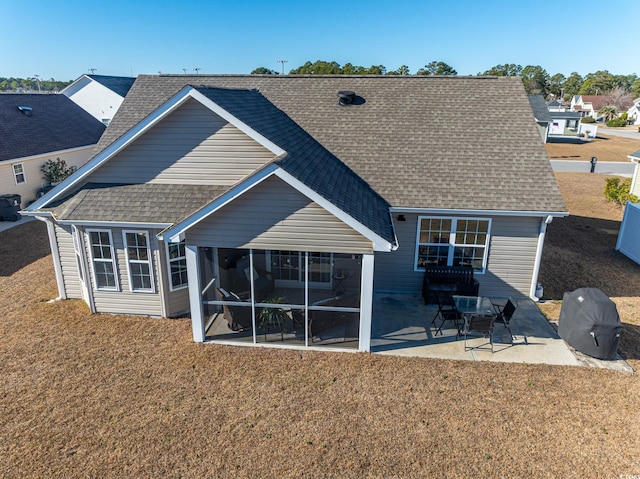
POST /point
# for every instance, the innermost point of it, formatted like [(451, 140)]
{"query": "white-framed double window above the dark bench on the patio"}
[(453, 242)]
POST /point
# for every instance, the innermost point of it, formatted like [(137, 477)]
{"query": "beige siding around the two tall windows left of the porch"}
[(125, 301)]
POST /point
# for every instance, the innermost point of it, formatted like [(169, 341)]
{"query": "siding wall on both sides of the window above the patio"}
[(512, 253)]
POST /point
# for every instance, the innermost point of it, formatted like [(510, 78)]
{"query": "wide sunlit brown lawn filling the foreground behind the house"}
[(112, 396)]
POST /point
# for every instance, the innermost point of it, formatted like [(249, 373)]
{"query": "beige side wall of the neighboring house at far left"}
[(33, 176)]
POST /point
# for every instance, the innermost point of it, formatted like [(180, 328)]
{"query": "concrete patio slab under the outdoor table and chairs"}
[(401, 327)]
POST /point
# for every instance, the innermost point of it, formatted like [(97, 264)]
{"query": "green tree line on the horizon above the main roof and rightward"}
[(536, 80)]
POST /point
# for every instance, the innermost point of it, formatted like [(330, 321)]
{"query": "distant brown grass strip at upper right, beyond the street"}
[(605, 147)]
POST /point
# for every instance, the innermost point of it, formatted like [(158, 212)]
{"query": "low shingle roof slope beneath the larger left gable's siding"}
[(148, 203)]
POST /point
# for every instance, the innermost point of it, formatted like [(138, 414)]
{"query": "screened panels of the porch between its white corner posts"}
[(300, 298)]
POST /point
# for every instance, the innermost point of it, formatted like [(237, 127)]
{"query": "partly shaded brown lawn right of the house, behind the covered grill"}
[(580, 252)]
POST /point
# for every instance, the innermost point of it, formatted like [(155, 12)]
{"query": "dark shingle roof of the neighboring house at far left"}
[(56, 123)]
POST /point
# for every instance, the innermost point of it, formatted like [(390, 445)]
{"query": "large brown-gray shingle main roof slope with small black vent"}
[(418, 141)]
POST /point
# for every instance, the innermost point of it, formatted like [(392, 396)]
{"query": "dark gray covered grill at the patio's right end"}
[(589, 322)]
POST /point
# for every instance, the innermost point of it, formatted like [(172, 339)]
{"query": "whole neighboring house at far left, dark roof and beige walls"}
[(35, 128)]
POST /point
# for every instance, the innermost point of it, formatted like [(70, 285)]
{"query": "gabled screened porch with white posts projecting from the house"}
[(276, 264)]
